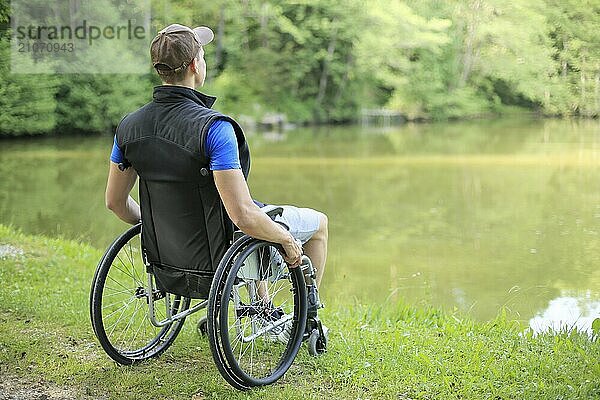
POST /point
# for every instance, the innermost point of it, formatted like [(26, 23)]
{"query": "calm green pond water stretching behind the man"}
[(474, 216)]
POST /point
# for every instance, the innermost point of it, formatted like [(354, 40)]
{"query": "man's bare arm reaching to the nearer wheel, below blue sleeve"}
[(248, 217)]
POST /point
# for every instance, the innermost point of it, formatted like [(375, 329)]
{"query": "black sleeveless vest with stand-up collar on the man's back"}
[(185, 228)]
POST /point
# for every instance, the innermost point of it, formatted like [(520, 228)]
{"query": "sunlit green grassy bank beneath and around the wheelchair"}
[(386, 351)]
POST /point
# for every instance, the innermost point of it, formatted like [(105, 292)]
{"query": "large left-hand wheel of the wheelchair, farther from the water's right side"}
[(119, 306)]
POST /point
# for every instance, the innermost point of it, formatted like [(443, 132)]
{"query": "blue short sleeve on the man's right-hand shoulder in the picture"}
[(221, 146)]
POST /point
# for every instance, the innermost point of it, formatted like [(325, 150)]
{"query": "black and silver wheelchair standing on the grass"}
[(259, 310)]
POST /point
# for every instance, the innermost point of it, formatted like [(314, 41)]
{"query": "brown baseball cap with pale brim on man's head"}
[(175, 46)]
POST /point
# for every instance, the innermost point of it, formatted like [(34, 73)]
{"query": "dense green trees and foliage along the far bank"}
[(325, 60)]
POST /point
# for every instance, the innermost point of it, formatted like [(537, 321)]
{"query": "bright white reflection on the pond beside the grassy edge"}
[(567, 313)]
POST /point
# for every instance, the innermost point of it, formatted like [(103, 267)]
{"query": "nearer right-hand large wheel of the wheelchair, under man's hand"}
[(257, 308)]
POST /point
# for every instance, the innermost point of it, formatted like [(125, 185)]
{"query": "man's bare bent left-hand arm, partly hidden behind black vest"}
[(117, 195)]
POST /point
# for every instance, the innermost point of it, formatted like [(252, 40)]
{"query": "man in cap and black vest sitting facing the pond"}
[(192, 163)]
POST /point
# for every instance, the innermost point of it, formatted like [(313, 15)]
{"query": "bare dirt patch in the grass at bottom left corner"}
[(19, 388)]
